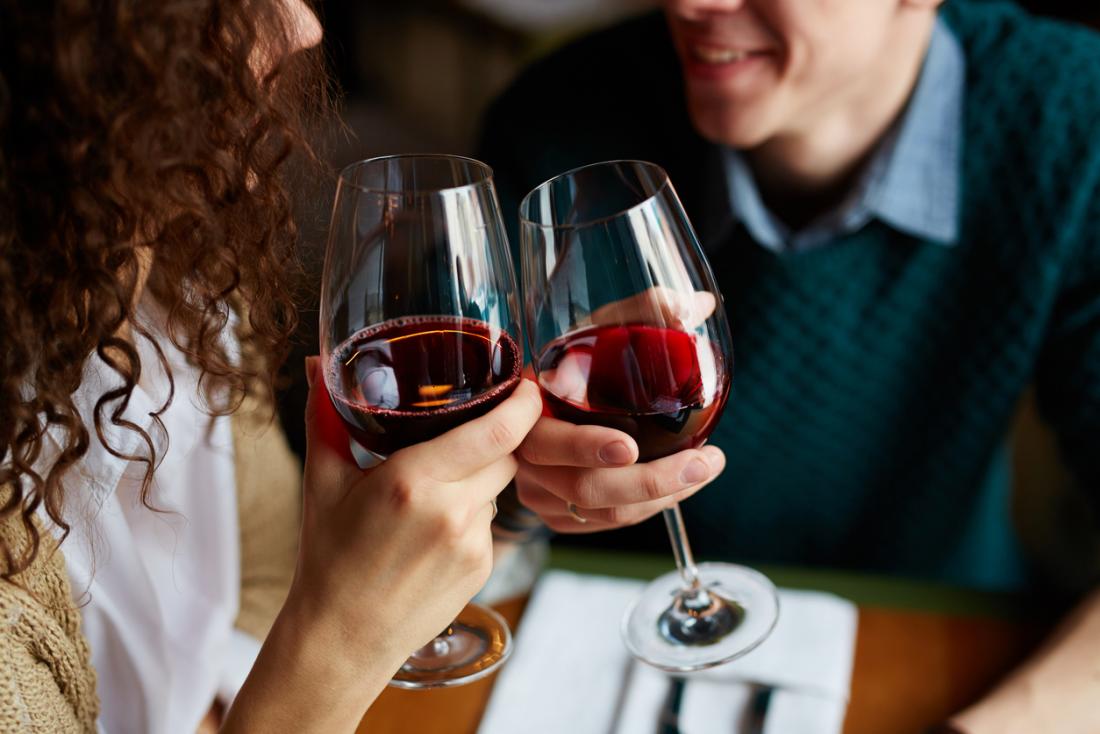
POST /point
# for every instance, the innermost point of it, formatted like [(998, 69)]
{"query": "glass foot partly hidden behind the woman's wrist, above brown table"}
[(477, 644)]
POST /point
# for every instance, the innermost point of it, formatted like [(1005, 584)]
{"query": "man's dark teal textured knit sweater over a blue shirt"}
[(875, 379)]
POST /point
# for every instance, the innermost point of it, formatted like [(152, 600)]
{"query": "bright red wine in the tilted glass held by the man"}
[(664, 388)]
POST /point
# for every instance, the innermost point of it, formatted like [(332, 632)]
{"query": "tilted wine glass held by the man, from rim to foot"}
[(628, 331)]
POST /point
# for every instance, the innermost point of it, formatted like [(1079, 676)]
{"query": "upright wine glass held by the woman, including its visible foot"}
[(420, 333)]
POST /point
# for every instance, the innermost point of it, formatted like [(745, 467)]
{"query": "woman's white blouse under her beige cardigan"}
[(158, 589)]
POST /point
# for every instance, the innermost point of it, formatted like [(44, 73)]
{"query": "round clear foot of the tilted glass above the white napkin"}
[(669, 631)]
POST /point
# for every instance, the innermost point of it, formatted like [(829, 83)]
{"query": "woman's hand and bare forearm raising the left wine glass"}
[(389, 557)]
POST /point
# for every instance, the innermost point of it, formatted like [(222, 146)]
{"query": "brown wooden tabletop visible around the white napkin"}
[(922, 653)]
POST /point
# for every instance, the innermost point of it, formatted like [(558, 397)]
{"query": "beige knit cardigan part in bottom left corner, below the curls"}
[(47, 680)]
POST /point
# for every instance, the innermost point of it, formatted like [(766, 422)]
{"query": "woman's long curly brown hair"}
[(138, 132)]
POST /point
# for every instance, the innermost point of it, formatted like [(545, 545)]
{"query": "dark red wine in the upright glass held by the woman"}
[(410, 380)]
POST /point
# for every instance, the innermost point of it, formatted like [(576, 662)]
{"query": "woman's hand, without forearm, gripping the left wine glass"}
[(403, 547)]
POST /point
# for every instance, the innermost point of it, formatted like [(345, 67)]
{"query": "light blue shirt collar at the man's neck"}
[(912, 181)]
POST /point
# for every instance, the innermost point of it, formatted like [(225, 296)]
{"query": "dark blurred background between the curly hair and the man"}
[(416, 78)]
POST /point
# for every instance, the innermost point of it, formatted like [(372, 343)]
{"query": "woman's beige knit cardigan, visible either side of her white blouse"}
[(47, 682)]
